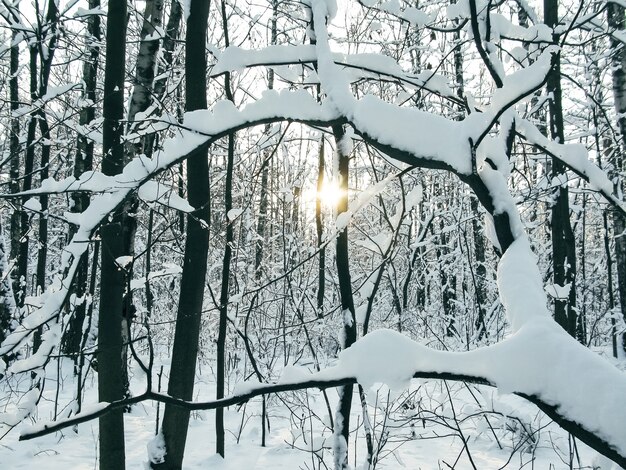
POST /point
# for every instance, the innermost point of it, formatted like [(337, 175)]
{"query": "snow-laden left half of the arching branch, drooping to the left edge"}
[(202, 129)]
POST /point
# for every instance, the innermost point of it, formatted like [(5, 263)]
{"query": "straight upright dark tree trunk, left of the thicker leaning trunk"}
[(112, 278)]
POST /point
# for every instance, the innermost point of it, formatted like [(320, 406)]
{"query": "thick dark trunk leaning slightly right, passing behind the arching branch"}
[(185, 350)]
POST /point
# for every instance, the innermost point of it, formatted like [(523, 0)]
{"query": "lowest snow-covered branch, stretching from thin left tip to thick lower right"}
[(509, 365)]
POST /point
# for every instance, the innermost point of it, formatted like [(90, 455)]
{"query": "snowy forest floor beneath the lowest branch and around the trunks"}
[(422, 428)]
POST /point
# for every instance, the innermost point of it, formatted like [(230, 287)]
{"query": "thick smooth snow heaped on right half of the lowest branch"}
[(540, 359)]
